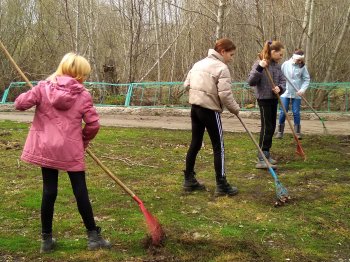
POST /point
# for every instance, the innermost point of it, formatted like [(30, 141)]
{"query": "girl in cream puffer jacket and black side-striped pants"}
[(210, 91)]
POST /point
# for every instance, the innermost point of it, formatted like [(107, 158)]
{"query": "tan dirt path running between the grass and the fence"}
[(231, 124)]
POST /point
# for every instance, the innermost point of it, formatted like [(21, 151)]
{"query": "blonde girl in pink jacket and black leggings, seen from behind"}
[(56, 141)]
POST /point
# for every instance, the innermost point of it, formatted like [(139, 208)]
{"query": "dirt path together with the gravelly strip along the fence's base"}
[(171, 118)]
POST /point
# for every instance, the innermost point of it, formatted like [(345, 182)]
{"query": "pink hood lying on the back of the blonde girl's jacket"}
[(63, 92)]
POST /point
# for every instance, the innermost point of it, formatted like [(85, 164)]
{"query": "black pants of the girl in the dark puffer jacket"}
[(268, 116)]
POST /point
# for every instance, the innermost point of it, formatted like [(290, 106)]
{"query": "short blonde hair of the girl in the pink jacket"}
[(75, 66)]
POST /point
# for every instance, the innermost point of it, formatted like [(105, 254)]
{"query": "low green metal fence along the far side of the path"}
[(174, 94)]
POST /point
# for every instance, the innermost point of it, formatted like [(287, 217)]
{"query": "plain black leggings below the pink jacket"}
[(50, 183)]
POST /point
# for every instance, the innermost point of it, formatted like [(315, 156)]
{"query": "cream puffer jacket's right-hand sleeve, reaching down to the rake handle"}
[(225, 92)]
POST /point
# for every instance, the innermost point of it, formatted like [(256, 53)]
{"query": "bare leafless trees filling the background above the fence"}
[(159, 40)]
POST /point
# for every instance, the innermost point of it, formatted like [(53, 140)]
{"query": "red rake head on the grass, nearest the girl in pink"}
[(153, 226)]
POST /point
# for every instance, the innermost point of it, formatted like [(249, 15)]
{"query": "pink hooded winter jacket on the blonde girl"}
[(56, 138)]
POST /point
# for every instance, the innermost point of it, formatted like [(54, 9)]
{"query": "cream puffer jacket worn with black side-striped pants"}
[(210, 84)]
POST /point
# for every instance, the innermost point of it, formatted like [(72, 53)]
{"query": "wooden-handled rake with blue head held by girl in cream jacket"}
[(281, 191)]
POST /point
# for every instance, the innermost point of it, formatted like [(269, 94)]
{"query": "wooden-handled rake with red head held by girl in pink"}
[(156, 232)]
